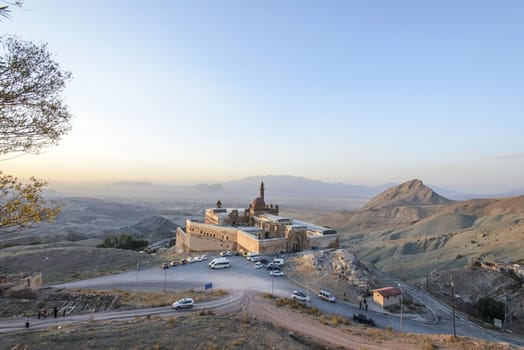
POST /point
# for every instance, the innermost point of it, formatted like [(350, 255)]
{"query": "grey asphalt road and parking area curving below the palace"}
[(243, 277)]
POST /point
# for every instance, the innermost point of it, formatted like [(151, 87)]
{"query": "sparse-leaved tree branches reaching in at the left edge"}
[(32, 116)]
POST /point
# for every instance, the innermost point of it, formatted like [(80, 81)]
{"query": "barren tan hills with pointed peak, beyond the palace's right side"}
[(410, 230)]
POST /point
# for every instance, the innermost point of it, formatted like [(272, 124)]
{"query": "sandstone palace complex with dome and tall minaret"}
[(258, 228)]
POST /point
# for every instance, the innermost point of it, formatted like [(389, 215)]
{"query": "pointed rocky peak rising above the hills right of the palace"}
[(410, 193)]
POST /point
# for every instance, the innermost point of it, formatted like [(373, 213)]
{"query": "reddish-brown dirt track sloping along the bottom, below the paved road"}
[(265, 311)]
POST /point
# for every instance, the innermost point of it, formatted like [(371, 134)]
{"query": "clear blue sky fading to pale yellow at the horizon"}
[(358, 92)]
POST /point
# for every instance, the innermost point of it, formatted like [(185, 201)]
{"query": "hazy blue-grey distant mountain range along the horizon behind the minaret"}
[(280, 189)]
